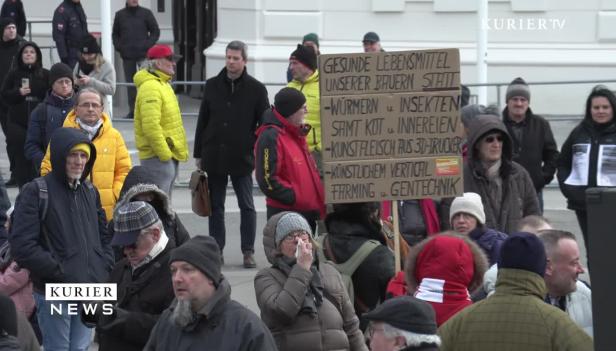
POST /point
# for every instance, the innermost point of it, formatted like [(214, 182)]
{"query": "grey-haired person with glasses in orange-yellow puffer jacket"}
[(112, 159)]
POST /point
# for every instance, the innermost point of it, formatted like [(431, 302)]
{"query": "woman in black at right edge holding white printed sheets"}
[(588, 156)]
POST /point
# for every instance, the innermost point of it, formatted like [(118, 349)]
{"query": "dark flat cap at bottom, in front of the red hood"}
[(407, 313)]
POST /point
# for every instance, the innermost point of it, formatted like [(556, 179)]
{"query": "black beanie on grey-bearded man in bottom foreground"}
[(203, 253)]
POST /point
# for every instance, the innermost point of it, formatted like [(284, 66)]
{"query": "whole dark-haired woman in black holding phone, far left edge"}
[(23, 89)]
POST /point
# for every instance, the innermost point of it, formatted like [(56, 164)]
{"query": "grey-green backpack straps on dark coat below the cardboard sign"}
[(346, 269)]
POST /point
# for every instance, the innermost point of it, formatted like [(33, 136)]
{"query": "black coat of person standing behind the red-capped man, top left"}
[(135, 30)]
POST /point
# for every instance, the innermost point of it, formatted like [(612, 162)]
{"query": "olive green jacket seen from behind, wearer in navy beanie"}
[(514, 318)]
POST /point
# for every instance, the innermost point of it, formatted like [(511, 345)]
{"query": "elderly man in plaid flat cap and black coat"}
[(143, 278)]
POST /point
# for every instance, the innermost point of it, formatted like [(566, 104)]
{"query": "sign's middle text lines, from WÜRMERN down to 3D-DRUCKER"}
[(390, 126)]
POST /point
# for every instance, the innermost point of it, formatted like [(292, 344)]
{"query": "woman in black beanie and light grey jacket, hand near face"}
[(92, 70)]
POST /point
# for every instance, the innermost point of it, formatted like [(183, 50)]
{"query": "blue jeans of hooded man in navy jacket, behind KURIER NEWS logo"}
[(61, 332)]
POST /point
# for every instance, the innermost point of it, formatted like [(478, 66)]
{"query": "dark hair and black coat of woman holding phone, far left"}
[(20, 107)]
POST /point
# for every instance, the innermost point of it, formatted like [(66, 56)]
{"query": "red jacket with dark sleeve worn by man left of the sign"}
[(284, 168)]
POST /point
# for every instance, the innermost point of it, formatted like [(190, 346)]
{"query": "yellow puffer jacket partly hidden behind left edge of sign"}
[(310, 89)]
